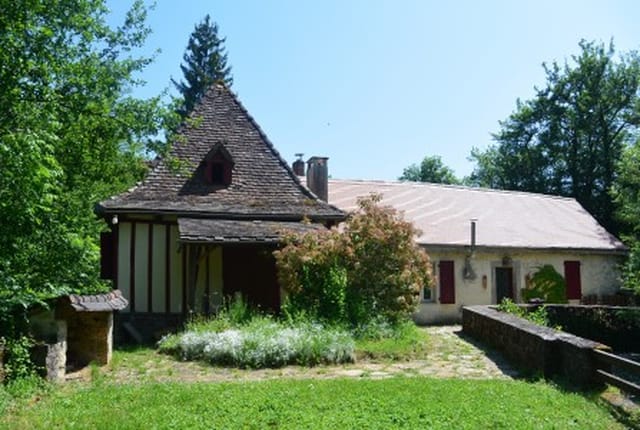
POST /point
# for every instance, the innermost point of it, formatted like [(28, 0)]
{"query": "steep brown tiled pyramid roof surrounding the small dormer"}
[(262, 187)]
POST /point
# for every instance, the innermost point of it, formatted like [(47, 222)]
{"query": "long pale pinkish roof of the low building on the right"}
[(505, 219)]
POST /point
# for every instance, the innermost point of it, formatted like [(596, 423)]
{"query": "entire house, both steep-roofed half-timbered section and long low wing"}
[(203, 224)]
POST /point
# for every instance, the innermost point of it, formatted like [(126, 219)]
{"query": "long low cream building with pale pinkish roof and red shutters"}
[(486, 244)]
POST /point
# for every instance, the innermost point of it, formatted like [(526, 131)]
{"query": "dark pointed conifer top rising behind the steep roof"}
[(205, 63)]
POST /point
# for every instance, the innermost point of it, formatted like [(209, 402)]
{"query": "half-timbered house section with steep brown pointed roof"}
[(204, 222)]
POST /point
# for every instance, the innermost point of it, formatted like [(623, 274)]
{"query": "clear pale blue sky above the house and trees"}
[(377, 85)]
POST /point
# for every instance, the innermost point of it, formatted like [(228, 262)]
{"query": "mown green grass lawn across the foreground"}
[(291, 404)]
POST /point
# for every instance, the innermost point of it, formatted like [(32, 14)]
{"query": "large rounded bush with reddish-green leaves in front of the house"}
[(371, 268)]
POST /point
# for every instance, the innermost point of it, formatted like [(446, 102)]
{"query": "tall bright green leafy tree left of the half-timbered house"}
[(70, 135)]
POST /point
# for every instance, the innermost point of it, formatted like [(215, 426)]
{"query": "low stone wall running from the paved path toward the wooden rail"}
[(536, 348)]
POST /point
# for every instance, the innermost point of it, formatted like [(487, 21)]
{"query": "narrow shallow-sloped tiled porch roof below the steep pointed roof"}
[(234, 231)]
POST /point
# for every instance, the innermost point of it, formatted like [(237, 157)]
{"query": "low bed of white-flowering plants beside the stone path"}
[(263, 342)]
